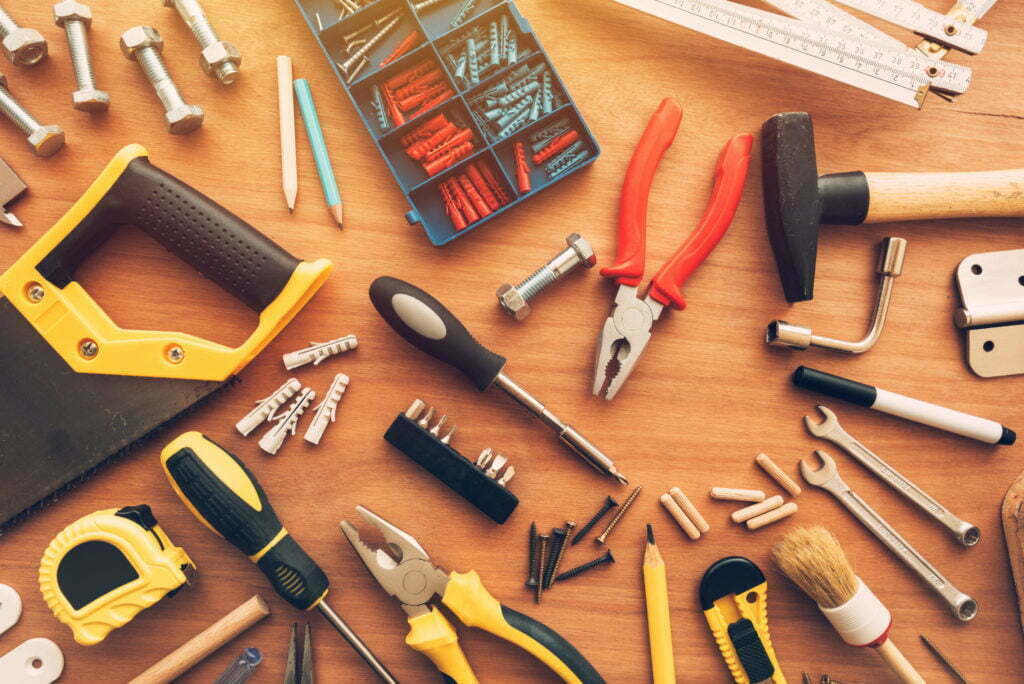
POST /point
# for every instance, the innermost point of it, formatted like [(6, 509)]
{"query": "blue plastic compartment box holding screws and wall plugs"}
[(478, 94)]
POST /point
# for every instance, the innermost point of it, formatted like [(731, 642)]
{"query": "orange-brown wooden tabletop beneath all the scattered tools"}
[(707, 398)]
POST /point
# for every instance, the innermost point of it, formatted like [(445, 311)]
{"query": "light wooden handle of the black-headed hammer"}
[(905, 197)]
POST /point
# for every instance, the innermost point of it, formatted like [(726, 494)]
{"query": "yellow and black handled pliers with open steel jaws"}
[(404, 570)]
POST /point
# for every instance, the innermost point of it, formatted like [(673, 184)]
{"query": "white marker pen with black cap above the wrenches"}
[(957, 422)]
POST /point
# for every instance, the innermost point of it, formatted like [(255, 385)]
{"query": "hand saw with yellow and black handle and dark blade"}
[(78, 390)]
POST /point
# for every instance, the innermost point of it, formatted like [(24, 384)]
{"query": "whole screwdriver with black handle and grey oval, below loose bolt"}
[(425, 324)]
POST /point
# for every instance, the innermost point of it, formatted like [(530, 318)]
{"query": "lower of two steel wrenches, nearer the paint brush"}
[(827, 478)]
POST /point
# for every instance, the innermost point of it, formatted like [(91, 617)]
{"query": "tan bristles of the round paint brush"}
[(814, 560)]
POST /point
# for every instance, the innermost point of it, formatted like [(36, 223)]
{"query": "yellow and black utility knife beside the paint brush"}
[(735, 601)]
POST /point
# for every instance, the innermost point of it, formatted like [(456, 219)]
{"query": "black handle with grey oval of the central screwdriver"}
[(429, 326)]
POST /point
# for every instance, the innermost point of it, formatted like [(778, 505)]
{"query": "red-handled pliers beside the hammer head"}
[(627, 331)]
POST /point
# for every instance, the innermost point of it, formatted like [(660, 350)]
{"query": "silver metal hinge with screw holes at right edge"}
[(992, 289)]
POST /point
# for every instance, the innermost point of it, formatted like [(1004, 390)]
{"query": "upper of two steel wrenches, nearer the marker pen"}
[(830, 430)]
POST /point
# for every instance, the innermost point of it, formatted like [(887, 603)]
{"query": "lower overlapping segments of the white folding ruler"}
[(844, 50)]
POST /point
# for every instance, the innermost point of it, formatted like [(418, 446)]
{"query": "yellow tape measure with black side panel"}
[(106, 568)]
